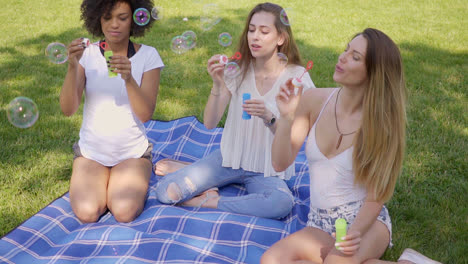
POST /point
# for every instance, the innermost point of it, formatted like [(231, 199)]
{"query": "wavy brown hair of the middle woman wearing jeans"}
[(289, 47)]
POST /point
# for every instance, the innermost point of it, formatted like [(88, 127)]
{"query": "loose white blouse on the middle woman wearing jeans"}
[(247, 144)]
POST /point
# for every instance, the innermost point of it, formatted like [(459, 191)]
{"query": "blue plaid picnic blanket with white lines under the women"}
[(162, 233)]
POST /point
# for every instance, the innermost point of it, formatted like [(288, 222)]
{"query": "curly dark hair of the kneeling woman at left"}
[(93, 10)]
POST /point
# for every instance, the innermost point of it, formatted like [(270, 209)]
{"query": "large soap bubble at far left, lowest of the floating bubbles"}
[(22, 112)]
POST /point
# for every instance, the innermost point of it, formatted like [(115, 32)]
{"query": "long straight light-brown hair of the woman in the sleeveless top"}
[(380, 143)]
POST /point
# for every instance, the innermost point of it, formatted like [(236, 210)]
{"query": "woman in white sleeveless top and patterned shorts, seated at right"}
[(355, 150)]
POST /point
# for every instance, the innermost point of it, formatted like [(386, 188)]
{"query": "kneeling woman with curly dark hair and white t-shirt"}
[(112, 163)]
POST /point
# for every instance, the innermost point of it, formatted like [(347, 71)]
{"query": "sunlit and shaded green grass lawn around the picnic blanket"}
[(429, 207)]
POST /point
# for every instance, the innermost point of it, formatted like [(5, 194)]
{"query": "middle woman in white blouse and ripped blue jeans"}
[(245, 155)]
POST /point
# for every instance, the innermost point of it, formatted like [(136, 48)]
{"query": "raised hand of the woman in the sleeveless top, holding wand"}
[(287, 100)]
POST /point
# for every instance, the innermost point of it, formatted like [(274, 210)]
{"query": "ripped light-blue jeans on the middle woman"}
[(267, 197)]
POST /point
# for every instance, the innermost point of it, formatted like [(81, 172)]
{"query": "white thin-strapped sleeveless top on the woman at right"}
[(331, 180)]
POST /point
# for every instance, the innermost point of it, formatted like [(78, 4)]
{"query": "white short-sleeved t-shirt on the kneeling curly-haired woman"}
[(111, 132)]
